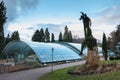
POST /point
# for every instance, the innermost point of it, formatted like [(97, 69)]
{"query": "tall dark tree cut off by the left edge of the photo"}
[(3, 19)]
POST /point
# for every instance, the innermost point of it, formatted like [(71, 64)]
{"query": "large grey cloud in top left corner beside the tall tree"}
[(16, 9)]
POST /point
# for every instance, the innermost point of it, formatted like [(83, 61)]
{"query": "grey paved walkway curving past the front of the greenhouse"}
[(34, 74)]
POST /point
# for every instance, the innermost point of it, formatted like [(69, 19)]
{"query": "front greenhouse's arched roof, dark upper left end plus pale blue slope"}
[(42, 50)]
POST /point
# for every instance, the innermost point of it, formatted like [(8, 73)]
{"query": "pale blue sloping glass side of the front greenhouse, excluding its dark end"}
[(60, 52)]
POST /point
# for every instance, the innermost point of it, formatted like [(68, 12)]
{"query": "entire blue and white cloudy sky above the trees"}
[(28, 15)]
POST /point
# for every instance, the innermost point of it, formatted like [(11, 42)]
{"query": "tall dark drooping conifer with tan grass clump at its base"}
[(90, 42)]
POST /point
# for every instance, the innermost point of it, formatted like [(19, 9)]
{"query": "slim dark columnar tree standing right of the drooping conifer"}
[(104, 46)]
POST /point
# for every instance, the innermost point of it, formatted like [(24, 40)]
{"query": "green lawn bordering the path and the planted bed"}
[(62, 75)]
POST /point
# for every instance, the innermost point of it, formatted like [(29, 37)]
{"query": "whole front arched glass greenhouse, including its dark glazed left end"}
[(40, 51)]
